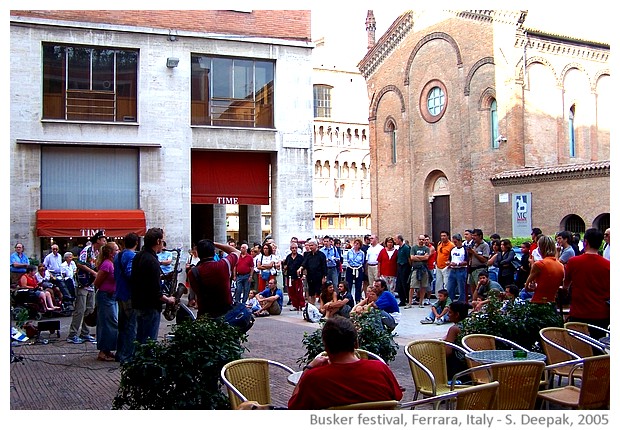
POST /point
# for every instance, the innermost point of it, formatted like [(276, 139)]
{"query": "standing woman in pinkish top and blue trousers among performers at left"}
[(105, 301)]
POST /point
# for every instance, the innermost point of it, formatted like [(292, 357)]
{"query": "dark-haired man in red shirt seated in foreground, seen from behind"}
[(341, 378)]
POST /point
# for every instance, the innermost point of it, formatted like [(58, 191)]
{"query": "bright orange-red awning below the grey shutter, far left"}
[(85, 223)]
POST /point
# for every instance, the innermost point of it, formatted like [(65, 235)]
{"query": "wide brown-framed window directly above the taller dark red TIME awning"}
[(232, 92)]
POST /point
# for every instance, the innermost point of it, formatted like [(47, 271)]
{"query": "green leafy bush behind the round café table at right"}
[(520, 322)]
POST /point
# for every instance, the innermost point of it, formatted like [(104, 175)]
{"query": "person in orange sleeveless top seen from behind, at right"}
[(546, 275)]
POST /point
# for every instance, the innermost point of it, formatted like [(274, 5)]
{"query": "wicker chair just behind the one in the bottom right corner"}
[(562, 345)]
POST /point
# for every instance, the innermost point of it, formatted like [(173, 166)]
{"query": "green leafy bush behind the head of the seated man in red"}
[(371, 336)]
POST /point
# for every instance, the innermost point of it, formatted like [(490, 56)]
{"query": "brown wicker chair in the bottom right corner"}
[(594, 390)]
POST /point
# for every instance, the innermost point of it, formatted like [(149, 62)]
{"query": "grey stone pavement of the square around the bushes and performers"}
[(63, 376)]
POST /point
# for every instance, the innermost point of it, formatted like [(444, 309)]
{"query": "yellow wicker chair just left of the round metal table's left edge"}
[(427, 361)]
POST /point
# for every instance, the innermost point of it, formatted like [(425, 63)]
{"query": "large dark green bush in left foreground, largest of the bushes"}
[(181, 373)]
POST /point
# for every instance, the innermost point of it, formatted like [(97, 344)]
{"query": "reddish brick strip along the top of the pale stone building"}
[(284, 24)]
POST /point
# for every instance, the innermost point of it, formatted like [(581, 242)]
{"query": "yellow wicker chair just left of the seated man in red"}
[(248, 379)]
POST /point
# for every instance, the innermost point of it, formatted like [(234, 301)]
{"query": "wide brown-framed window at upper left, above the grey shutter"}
[(89, 83)]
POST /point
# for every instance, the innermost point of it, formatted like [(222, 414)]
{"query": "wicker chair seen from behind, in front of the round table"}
[(519, 382)]
